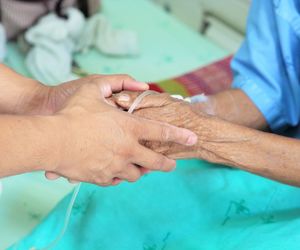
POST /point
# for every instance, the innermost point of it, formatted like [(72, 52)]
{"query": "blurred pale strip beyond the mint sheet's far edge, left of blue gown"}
[(223, 22)]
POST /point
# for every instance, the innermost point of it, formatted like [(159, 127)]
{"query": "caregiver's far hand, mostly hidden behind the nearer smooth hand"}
[(39, 99)]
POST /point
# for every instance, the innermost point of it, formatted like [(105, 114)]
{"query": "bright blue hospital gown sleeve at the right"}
[(267, 67)]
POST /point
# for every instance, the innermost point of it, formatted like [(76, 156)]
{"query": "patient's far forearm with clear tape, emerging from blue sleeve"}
[(233, 106)]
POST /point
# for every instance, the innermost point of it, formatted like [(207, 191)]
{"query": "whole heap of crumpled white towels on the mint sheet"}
[(55, 40)]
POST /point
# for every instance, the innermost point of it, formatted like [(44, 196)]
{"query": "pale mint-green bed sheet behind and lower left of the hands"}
[(167, 48)]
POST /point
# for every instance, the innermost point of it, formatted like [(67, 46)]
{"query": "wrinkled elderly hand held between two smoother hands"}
[(164, 108)]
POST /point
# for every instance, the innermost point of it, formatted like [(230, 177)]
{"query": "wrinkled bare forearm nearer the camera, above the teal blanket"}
[(265, 154)]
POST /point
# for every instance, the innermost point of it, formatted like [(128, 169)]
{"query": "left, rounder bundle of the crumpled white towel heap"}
[(54, 40)]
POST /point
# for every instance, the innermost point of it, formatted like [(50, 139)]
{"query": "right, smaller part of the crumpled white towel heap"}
[(100, 34)]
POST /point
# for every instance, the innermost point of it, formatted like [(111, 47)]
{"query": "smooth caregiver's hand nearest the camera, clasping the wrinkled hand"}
[(102, 143)]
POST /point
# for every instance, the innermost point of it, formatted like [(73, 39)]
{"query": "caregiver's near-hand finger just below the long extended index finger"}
[(150, 160)]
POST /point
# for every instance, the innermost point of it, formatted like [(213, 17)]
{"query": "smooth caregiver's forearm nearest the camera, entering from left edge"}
[(27, 144)]
